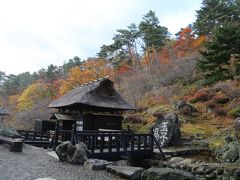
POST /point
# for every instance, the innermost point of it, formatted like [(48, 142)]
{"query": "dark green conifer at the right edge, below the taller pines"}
[(222, 53)]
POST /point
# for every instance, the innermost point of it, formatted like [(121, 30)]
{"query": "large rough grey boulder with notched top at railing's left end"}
[(77, 154)]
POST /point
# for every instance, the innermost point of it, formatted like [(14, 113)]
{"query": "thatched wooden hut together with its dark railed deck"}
[(92, 114)]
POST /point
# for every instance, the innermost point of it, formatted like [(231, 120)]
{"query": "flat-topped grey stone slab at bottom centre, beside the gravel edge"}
[(133, 173)]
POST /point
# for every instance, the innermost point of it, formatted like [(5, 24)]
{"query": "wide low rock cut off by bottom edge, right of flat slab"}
[(166, 173)]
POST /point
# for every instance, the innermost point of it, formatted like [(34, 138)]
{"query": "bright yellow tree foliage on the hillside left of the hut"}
[(31, 94)]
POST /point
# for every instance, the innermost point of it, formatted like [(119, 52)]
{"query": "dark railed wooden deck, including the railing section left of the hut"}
[(108, 145)]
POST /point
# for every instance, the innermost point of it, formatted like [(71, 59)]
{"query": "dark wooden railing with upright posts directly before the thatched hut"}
[(114, 141)]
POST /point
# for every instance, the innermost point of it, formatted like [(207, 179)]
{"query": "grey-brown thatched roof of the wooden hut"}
[(98, 94)]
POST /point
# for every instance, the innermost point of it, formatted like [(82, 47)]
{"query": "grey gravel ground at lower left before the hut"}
[(34, 163)]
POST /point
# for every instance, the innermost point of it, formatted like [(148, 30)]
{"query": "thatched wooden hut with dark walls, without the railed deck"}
[(92, 106)]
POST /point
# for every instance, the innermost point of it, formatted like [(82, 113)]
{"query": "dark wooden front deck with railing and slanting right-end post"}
[(118, 145)]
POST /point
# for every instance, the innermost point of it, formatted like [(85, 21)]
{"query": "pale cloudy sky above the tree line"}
[(37, 33)]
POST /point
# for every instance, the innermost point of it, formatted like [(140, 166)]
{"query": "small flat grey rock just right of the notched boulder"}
[(96, 164)]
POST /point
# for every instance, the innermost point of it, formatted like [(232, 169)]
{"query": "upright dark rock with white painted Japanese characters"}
[(167, 131)]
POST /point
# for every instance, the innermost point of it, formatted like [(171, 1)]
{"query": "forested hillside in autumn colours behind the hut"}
[(153, 69)]
